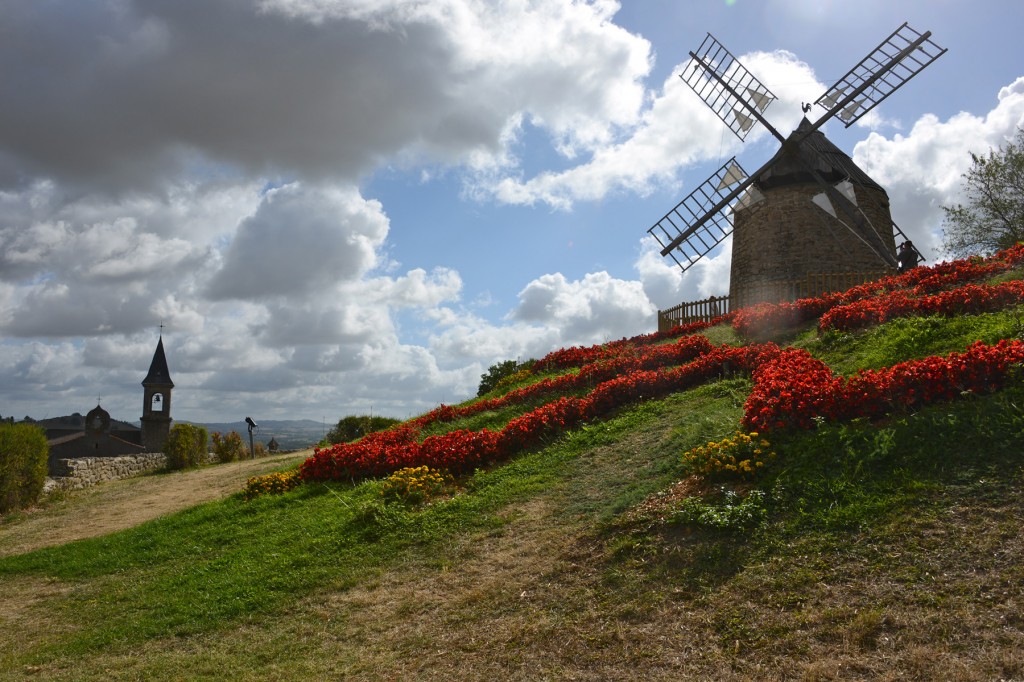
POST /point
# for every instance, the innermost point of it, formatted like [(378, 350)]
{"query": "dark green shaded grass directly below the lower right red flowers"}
[(847, 478)]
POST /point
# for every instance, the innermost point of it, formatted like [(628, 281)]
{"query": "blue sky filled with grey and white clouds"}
[(348, 207)]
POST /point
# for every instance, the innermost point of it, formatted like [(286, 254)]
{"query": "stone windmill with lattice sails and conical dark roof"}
[(809, 209)]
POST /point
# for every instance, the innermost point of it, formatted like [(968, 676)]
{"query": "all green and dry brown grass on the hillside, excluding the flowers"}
[(838, 550)]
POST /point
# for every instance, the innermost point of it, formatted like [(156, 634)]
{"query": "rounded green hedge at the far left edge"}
[(24, 456)]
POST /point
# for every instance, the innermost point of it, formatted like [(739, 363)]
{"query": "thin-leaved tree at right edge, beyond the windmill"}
[(993, 218)]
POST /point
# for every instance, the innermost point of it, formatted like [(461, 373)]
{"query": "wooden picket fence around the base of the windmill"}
[(771, 292)]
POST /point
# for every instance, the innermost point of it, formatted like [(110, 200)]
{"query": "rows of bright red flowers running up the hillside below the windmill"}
[(791, 388)]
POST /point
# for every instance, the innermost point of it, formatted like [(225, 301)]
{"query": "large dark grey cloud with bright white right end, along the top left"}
[(134, 94)]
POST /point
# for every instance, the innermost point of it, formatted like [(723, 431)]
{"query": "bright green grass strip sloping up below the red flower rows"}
[(223, 563)]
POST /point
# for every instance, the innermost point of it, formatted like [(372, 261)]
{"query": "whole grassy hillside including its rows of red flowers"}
[(611, 537)]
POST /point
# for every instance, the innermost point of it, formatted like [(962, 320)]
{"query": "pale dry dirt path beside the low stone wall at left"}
[(122, 504)]
